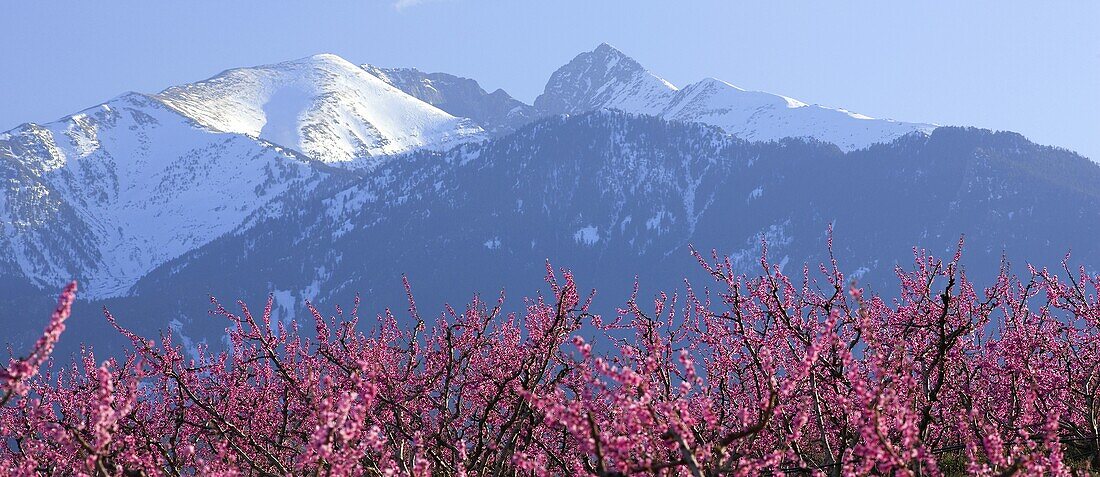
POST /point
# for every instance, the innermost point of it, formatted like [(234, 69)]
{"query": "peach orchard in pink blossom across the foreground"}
[(760, 375)]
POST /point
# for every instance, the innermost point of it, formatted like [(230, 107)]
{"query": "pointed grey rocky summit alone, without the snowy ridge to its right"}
[(604, 79)]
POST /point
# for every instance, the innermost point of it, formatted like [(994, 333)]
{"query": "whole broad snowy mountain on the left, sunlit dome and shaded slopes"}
[(107, 195)]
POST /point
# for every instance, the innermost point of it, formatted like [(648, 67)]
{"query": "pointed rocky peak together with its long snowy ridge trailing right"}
[(606, 79)]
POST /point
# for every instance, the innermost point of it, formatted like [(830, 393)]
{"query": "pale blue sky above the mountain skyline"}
[(1026, 66)]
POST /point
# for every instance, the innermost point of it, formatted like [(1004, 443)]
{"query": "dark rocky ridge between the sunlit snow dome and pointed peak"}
[(498, 113)]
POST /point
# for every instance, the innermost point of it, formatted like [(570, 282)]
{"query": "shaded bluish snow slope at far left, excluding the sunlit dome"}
[(107, 195)]
